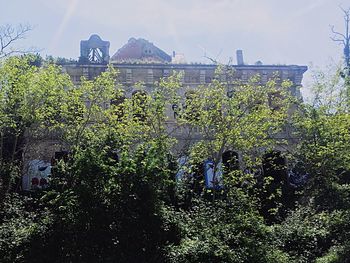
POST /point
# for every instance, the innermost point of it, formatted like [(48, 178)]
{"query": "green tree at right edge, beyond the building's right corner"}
[(317, 229)]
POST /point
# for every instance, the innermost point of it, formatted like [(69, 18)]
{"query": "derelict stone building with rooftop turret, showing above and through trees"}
[(141, 61)]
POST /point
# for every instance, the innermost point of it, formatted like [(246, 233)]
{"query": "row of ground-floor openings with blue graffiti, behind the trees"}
[(274, 165)]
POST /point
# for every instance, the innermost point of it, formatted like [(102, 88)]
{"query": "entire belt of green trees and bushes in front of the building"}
[(116, 198)]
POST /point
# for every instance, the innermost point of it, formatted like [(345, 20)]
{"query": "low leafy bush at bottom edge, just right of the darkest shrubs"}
[(227, 230)]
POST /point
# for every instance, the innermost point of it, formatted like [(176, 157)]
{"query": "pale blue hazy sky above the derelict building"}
[(272, 31)]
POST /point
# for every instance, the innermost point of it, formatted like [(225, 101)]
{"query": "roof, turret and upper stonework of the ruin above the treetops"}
[(141, 61)]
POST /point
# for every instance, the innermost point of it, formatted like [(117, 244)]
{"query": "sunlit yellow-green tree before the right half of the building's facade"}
[(232, 125)]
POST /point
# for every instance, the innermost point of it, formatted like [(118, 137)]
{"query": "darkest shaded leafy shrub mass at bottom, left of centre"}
[(105, 212)]
